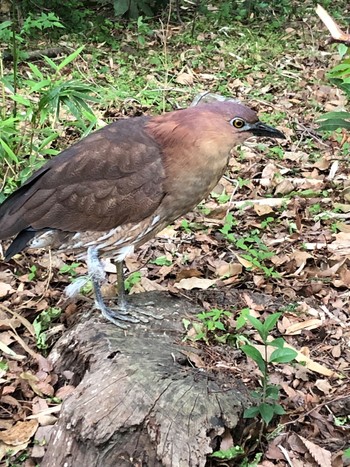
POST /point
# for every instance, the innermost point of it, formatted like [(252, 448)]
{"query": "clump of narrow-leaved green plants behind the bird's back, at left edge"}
[(42, 96)]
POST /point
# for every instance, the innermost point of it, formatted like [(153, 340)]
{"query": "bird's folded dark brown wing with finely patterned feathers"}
[(113, 176)]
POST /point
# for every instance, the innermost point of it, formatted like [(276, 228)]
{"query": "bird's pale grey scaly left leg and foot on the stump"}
[(98, 276)]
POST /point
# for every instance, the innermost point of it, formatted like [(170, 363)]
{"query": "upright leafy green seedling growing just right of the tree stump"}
[(266, 406)]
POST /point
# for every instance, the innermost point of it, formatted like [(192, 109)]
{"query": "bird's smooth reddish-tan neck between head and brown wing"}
[(194, 159)]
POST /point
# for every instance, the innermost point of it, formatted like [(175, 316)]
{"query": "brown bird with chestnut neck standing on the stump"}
[(118, 187)]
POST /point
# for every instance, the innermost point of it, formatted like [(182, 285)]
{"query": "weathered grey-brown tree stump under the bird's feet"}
[(138, 400)]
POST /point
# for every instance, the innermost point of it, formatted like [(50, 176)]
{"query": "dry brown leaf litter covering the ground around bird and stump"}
[(293, 200)]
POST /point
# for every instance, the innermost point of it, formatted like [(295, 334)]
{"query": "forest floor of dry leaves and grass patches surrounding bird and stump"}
[(274, 236)]
